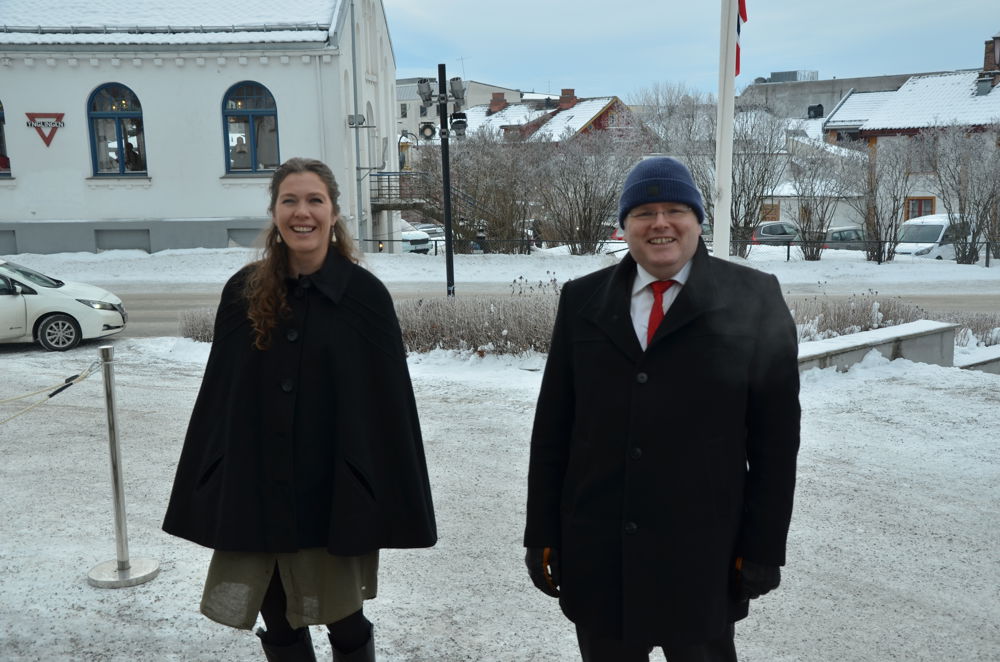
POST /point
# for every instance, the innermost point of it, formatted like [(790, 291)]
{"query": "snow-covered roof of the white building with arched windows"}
[(159, 22)]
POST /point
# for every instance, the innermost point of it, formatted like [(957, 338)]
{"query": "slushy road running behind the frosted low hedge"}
[(158, 313)]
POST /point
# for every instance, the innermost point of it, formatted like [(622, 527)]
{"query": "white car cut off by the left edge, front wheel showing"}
[(57, 314)]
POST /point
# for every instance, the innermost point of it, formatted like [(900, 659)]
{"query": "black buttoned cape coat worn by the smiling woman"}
[(314, 442)]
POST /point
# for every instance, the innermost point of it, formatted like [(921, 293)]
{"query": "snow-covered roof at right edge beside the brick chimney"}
[(936, 100)]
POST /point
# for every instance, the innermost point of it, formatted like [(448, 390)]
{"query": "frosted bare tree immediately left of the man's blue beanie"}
[(579, 185)]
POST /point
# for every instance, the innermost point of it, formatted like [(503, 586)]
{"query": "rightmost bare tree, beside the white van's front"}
[(965, 162)]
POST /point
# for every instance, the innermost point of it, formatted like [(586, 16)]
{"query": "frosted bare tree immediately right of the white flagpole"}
[(759, 159)]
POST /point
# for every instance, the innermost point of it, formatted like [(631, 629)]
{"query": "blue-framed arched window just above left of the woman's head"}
[(250, 118)]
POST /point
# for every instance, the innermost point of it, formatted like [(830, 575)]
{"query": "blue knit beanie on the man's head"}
[(659, 179)]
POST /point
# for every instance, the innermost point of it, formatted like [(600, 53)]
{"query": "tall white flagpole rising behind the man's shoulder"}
[(724, 130)]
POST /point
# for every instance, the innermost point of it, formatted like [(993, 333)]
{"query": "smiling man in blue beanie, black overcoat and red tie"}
[(663, 454)]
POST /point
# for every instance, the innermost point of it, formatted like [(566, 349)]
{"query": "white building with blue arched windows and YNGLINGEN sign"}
[(148, 124)]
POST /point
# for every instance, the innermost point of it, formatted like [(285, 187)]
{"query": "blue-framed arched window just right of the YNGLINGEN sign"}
[(117, 142)]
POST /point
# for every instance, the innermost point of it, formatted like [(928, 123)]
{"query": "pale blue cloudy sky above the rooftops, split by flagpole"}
[(622, 46)]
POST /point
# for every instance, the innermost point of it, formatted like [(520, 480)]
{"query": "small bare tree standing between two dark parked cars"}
[(814, 168)]
